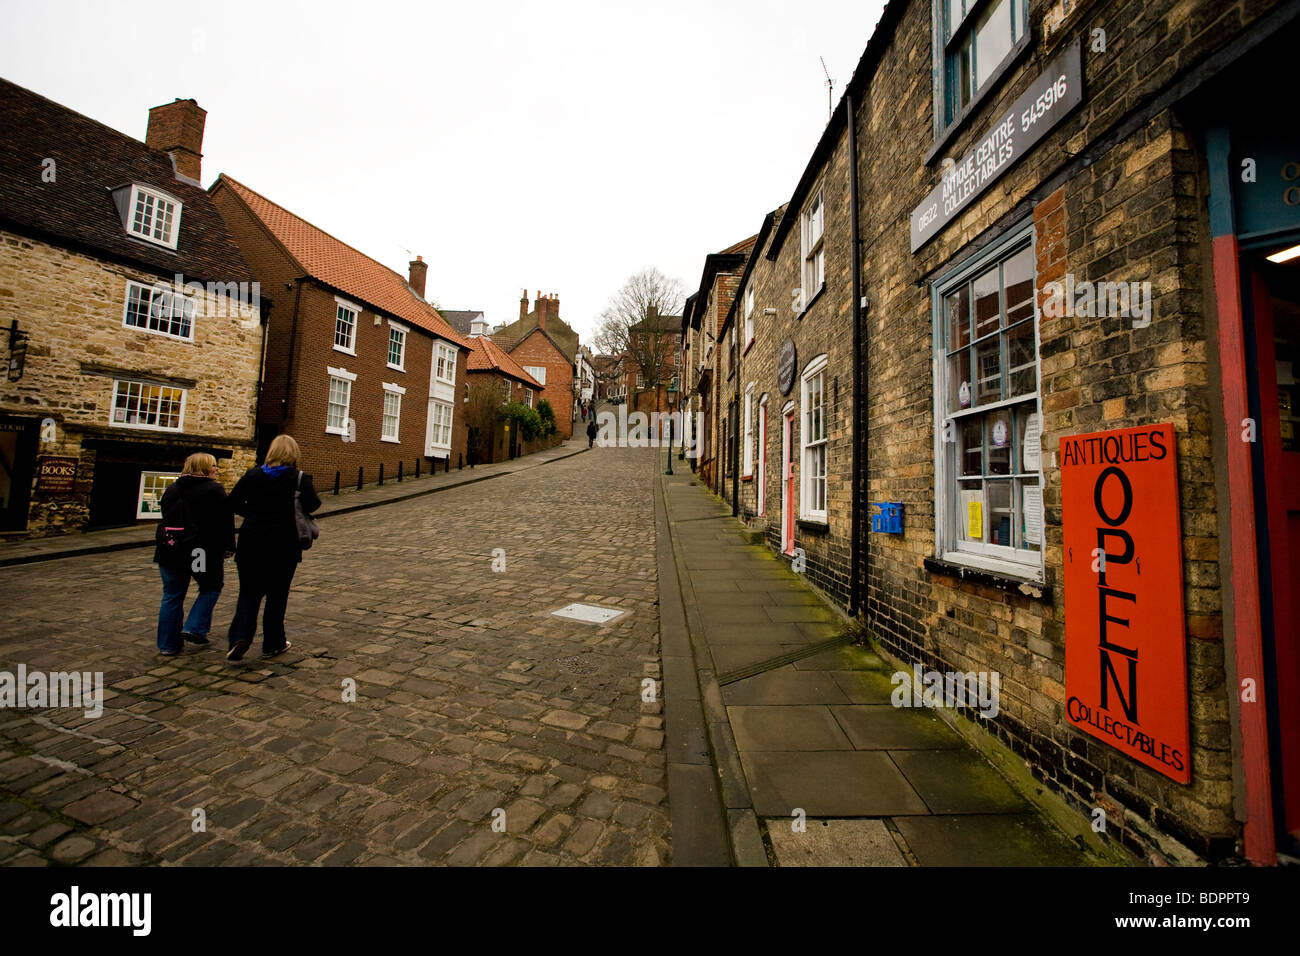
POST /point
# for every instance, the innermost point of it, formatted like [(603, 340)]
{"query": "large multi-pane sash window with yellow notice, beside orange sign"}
[(989, 468)]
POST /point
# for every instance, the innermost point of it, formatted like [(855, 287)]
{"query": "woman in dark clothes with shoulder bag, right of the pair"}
[(270, 550)]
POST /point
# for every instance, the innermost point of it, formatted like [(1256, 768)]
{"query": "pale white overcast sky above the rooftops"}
[(560, 146)]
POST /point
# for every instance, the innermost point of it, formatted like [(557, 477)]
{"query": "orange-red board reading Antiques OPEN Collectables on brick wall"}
[(1125, 644)]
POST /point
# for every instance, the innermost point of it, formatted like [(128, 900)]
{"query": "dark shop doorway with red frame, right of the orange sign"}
[(1272, 305)]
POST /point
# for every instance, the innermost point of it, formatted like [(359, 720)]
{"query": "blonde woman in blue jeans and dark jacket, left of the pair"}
[(194, 539)]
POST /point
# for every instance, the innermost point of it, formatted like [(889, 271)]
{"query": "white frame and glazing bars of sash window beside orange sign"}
[(1003, 560)]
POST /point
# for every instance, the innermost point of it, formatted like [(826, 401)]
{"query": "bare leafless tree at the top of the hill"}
[(635, 323)]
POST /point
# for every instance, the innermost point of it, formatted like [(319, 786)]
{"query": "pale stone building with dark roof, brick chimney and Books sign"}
[(132, 323)]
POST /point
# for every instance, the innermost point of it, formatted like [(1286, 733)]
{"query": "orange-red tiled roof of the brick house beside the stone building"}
[(343, 267)]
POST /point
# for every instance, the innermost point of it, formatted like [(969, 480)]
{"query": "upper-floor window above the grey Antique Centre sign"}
[(978, 40)]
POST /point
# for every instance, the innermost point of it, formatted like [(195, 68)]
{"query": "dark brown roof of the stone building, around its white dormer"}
[(77, 210)]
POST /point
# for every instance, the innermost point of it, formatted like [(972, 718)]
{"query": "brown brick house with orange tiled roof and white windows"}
[(359, 369)]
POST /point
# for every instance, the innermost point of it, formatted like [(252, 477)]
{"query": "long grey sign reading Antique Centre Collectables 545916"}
[(1043, 106)]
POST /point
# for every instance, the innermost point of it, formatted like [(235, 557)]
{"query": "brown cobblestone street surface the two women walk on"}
[(471, 698)]
